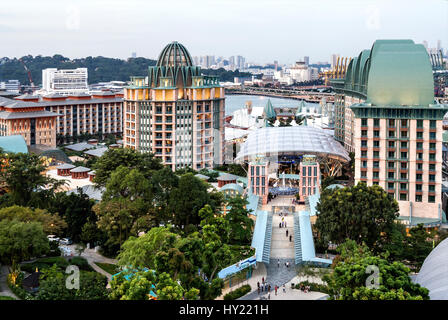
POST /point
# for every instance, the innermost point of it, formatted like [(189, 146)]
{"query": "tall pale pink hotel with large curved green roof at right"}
[(388, 117)]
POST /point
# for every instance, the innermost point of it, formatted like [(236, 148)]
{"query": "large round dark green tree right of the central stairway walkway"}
[(360, 213)]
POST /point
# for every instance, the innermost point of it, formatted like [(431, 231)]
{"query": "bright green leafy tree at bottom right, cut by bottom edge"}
[(350, 279)]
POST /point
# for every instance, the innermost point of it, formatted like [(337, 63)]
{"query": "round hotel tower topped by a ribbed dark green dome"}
[(175, 112)]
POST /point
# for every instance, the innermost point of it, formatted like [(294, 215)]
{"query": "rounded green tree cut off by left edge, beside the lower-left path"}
[(21, 241)]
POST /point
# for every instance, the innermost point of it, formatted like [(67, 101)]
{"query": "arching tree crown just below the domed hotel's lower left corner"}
[(145, 163)]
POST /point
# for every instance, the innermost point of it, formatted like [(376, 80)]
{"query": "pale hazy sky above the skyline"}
[(260, 30)]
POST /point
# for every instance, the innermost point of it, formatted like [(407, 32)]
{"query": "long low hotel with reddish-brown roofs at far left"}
[(47, 120)]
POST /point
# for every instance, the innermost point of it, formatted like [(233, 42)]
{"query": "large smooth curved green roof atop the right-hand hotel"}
[(392, 72)]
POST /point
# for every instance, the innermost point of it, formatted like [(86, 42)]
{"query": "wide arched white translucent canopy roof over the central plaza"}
[(273, 141)]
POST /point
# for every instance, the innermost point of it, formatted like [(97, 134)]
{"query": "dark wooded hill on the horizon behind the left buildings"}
[(101, 69)]
